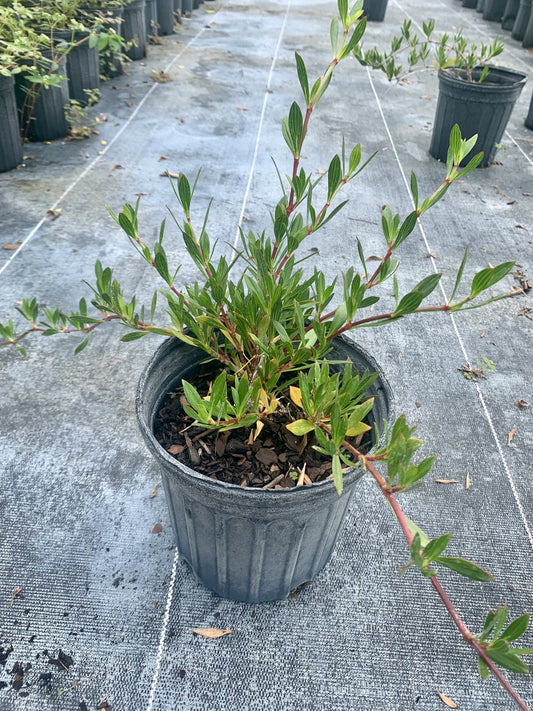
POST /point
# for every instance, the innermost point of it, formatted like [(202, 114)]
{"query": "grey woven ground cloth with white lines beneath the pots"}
[(76, 511)]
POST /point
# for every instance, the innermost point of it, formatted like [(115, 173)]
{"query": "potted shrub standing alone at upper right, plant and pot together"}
[(475, 95)]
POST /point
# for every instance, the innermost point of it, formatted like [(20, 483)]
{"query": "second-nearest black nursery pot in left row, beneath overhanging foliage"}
[(46, 120)]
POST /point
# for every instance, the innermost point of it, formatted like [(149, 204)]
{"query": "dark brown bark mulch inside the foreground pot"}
[(275, 459)]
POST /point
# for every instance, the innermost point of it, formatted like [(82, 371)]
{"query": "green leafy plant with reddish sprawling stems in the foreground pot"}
[(270, 328)]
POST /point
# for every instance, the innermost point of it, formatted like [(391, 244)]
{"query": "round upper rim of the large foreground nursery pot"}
[(349, 477)]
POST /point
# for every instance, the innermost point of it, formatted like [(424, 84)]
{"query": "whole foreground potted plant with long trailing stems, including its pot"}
[(257, 370)]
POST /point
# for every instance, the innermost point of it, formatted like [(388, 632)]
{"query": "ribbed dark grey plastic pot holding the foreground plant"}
[(242, 543)]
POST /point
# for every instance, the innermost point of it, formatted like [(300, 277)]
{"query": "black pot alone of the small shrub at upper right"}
[(483, 108)]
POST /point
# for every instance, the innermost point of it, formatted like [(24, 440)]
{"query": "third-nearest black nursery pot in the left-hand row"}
[(83, 68)]
